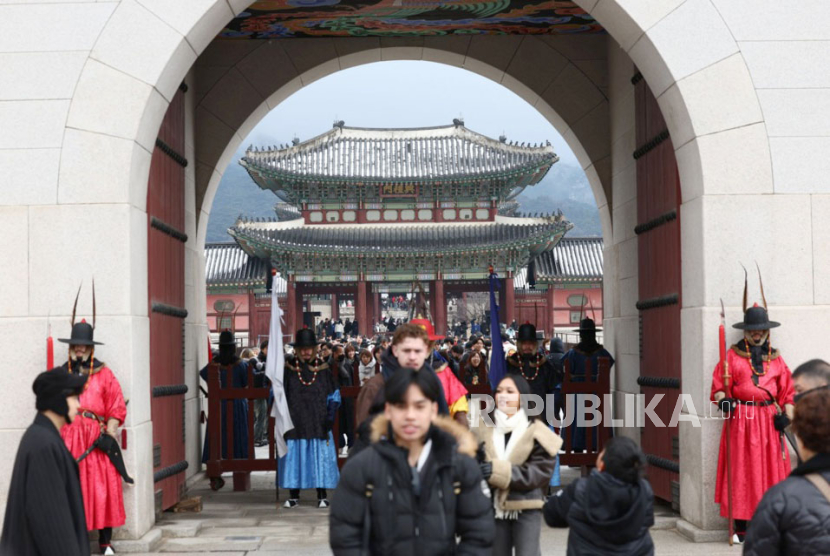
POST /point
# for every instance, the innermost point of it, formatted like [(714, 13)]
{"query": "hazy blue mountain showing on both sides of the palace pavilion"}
[(564, 188)]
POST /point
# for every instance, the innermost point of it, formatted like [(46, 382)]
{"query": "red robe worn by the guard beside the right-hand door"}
[(757, 458)]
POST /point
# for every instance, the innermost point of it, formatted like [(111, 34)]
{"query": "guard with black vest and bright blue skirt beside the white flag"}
[(313, 399)]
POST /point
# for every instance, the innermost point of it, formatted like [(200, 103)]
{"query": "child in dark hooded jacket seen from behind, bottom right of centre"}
[(610, 511)]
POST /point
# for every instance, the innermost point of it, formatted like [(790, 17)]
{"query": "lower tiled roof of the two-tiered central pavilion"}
[(444, 237)]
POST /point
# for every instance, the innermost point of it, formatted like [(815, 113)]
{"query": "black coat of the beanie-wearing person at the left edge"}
[(45, 507)]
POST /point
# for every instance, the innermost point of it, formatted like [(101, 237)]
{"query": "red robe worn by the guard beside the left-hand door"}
[(100, 482)]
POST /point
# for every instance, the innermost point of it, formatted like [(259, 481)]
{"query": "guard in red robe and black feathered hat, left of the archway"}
[(102, 411)]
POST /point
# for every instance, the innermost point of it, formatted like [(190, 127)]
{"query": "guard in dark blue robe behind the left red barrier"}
[(238, 369)]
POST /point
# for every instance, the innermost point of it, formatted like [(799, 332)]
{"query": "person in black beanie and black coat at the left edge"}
[(45, 507)]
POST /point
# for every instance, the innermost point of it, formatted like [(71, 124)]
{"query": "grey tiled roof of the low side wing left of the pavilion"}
[(226, 264)]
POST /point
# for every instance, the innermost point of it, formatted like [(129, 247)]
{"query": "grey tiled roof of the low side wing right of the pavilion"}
[(572, 259)]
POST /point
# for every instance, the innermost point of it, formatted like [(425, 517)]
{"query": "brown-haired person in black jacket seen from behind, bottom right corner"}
[(793, 517)]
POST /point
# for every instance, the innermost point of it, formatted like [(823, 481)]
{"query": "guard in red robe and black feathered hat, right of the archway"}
[(759, 403)]
